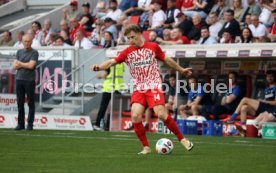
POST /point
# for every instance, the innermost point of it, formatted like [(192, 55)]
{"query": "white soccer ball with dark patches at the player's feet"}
[(164, 146)]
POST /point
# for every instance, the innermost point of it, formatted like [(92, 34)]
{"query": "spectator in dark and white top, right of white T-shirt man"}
[(171, 15)]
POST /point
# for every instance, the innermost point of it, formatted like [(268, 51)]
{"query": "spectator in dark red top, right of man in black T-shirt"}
[(194, 34)]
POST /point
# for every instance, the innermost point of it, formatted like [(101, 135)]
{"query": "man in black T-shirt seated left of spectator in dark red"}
[(183, 23)]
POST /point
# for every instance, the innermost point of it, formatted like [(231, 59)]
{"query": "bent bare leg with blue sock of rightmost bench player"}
[(254, 104)]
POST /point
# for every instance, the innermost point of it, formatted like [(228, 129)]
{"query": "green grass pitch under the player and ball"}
[(41, 151)]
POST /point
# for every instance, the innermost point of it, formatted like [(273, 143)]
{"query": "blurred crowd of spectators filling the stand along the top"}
[(162, 21)]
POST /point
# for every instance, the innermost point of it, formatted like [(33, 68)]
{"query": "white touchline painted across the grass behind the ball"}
[(234, 143)]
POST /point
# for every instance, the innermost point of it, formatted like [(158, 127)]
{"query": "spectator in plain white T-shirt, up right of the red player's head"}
[(158, 17)]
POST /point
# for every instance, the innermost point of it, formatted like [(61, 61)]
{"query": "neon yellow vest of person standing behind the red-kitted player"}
[(119, 80)]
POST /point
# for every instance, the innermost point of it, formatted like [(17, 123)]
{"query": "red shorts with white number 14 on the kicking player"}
[(149, 98)]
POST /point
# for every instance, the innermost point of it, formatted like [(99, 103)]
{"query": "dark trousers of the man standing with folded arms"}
[(25, 87)]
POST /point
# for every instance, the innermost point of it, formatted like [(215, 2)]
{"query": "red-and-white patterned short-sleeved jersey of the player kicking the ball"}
[(143, 65)]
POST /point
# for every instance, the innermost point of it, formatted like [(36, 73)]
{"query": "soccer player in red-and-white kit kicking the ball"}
[(141, 58)]
